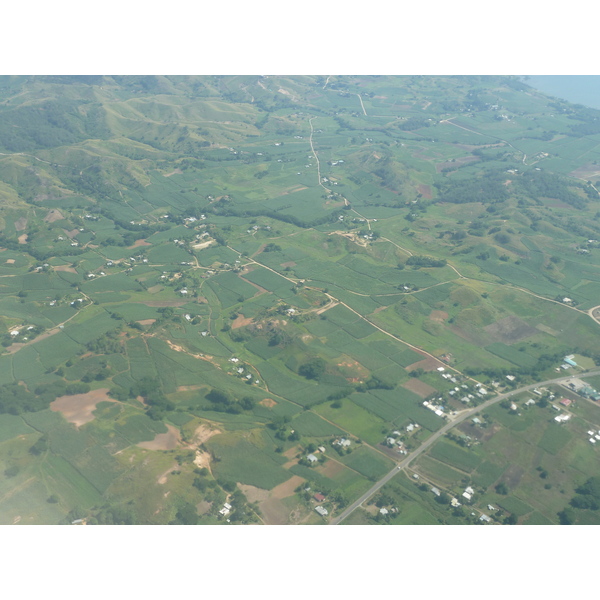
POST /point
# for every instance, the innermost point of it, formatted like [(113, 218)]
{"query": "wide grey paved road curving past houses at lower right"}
[(432, 439)]
